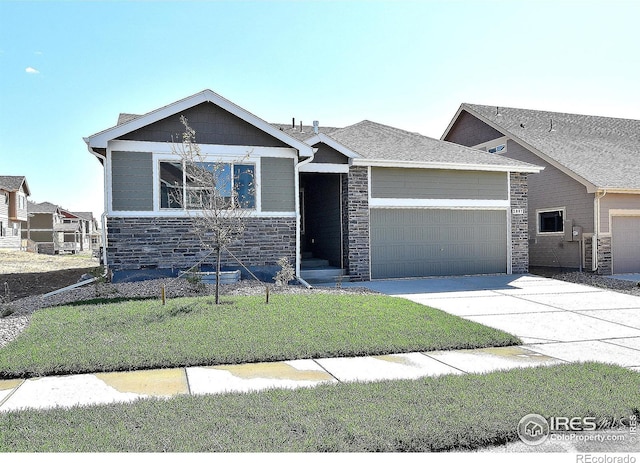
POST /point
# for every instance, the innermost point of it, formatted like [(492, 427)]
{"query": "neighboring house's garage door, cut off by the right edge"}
[(625, 244)]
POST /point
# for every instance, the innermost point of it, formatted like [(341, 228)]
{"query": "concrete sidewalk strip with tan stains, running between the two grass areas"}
[(102, 388)]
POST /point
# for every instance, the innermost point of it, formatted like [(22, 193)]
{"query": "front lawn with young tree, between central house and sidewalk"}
[(193, 331)]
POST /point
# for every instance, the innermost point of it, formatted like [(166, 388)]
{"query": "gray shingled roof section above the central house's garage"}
[(379, 144)]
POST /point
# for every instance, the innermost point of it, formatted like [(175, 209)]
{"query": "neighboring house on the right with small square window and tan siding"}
[(584, 208)]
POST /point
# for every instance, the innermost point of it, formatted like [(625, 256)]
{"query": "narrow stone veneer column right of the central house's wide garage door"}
[(519, 223)]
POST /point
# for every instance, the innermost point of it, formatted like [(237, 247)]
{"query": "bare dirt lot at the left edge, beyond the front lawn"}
[(29, 274)]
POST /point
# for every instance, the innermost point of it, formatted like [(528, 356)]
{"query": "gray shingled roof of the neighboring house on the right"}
[(602, 152)]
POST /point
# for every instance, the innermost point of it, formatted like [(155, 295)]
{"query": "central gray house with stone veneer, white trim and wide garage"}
[(371, 200)]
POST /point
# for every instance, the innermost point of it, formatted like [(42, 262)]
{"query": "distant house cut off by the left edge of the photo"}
[(14, 192)]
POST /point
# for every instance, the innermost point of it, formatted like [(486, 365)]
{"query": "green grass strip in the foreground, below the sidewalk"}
[(452, 412)]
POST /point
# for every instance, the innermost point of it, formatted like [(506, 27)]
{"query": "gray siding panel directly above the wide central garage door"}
[(437, 184)]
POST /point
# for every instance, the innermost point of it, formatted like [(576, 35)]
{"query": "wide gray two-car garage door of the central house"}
[(434, 242)]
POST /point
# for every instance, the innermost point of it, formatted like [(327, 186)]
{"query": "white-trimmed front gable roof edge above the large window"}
[(130, 122)]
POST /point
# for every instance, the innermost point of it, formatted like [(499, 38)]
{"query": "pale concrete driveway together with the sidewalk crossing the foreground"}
[(558, 322)]
